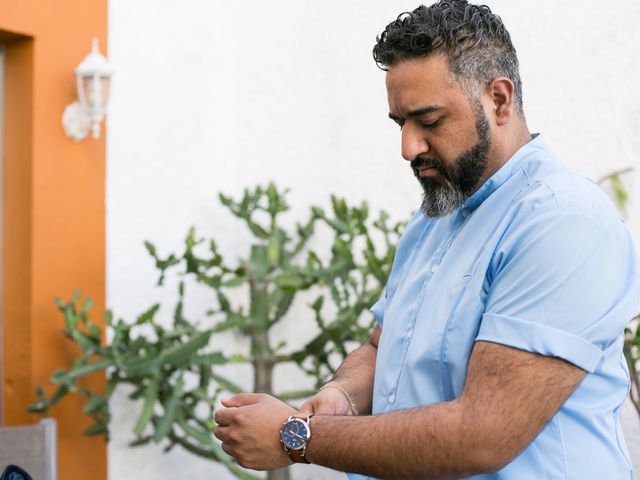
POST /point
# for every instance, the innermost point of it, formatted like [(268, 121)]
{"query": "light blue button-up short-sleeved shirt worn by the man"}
[(537, 259)]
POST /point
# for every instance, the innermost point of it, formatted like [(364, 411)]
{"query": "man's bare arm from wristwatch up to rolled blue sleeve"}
[(508, 398)]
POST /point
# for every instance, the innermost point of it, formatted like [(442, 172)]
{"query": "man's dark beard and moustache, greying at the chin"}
[(459, 179)]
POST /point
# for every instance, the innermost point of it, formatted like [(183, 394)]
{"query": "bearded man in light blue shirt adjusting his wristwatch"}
[(498, 348)]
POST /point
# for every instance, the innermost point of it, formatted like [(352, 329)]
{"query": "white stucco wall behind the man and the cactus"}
[(214, 96)]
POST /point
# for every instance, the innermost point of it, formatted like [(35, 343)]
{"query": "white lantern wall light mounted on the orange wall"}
[(93, 78)]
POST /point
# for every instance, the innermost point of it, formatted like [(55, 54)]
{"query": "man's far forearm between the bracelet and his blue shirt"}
[(356, 373)]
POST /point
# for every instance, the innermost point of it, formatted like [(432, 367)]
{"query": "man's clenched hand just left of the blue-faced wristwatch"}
[(249, 429)]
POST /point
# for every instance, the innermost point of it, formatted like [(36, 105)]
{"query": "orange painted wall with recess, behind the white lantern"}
[(54, 213)]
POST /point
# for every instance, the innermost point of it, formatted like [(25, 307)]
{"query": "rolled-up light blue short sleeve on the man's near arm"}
[(562, 286)]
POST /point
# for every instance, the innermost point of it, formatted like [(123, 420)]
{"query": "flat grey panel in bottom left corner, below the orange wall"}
[(32, 447)]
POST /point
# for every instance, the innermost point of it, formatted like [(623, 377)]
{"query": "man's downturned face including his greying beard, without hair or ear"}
[(445, 135)]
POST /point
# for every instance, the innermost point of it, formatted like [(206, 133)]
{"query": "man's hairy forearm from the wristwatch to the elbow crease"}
[(427, 442)]
